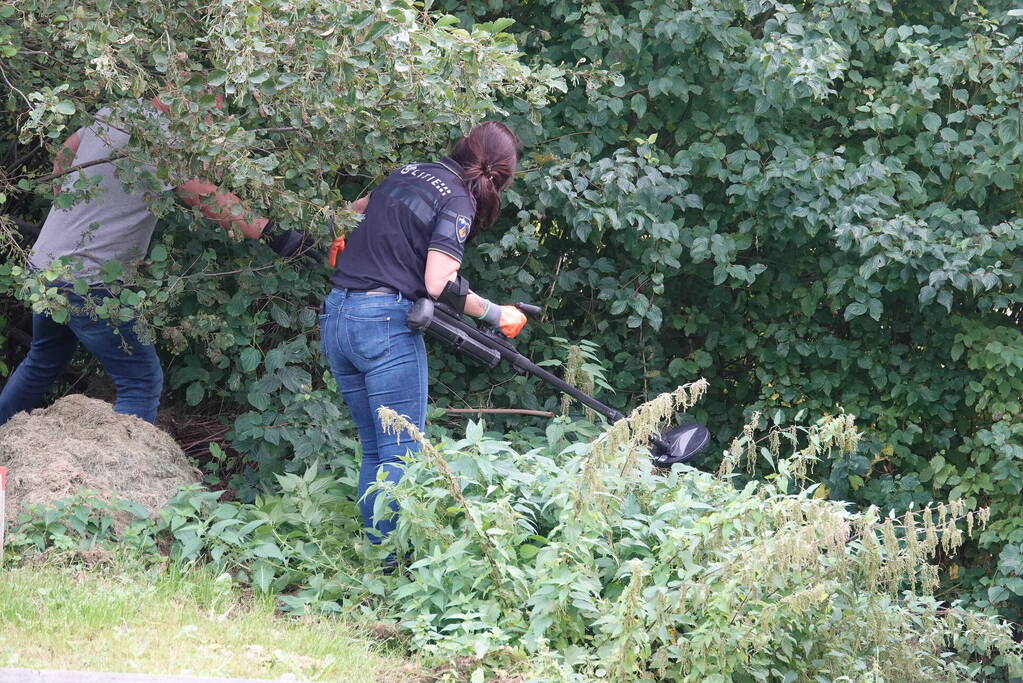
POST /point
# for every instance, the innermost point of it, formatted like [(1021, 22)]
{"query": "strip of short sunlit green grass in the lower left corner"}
[(164, 622)]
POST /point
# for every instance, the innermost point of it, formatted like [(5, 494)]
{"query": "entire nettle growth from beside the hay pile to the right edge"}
[(580, 563)]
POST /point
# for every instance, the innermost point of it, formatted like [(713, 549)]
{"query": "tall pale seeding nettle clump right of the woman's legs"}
[(602, 568)]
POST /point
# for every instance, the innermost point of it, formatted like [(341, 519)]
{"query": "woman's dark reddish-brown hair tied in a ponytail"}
[(488, 156)]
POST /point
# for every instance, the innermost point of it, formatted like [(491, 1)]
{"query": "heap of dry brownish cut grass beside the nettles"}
[(81, 443)]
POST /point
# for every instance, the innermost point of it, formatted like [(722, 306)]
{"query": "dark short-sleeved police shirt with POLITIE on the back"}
[(419, 208)]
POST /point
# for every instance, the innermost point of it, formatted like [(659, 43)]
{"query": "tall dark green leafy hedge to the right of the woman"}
[(814, 205)]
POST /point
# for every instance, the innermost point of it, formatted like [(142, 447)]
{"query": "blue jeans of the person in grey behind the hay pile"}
[(132, 366)]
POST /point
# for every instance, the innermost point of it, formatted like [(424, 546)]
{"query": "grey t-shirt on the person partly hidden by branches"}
[(117, 224)]
